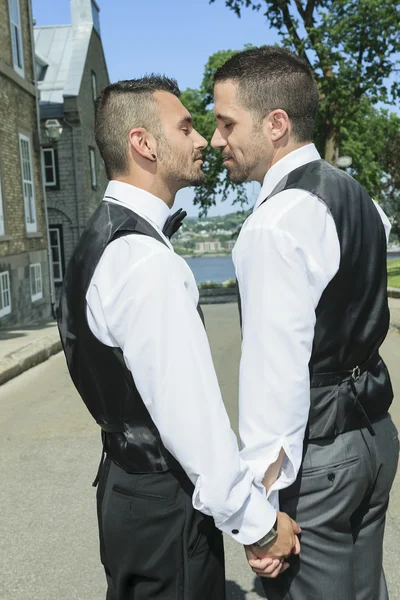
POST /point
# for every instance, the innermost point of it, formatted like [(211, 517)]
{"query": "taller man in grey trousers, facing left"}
[(314, 392)]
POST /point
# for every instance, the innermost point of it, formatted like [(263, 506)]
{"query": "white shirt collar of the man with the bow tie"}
[(145, 204)]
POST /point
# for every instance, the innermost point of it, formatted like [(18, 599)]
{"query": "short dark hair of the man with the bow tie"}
[(122, 106)]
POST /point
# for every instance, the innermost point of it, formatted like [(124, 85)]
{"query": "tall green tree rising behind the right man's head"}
[(350, 45)]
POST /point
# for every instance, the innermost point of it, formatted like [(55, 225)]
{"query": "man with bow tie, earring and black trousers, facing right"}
[(138, 354)]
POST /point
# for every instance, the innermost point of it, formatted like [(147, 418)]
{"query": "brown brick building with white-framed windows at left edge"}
[(25, 294)]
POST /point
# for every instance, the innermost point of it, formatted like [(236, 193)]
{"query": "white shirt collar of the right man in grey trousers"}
[(283, 167)]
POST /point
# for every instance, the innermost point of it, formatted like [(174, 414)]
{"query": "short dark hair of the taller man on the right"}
[(269, 78)]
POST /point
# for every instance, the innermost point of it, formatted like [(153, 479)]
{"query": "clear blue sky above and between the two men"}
[(175, 37)]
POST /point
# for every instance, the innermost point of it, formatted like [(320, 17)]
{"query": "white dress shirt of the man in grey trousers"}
[(286, 254)]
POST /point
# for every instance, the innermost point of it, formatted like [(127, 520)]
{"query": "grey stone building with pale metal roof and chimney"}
[(71, 71)]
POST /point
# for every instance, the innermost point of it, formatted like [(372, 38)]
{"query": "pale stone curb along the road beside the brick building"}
[(22, 360)]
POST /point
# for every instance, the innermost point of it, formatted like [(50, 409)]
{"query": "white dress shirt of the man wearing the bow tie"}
[(143, 299)]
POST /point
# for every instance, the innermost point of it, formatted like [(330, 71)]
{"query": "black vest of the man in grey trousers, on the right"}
[(350, 384)]
